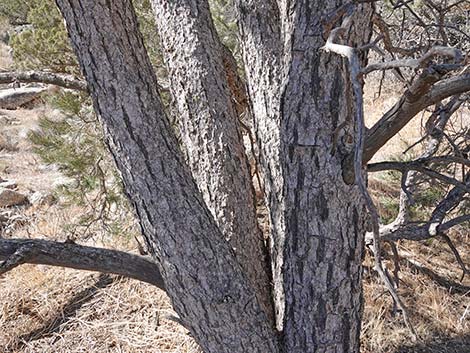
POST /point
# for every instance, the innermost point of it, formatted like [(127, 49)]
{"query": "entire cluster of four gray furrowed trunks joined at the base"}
[(303, 116)]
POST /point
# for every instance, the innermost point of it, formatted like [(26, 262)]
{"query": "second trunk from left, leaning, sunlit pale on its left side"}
[(209, 127)]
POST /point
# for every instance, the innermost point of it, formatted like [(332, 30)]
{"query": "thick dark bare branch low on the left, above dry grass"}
[(15, 252)]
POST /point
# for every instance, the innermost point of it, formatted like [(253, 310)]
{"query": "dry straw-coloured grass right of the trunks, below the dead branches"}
[(438, 310)]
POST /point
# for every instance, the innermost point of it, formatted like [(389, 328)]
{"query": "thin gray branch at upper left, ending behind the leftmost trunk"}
[(65, 81)]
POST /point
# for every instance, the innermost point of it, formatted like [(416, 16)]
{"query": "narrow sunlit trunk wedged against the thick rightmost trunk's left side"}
[(261, 44)]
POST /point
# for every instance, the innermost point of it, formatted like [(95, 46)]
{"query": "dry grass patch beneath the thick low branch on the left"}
[(59, 310)]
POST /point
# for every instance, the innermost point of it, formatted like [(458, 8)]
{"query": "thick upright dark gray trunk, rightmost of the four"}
[(324, 215)]
